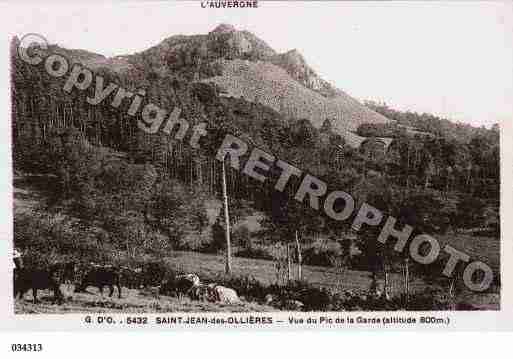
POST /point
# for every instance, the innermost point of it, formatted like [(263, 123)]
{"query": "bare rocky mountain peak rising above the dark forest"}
[(244, 66)]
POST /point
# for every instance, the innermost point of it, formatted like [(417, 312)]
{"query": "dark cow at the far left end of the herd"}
[(39, 278)]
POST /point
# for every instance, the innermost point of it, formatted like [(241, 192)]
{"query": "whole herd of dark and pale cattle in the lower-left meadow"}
[(149, 277)]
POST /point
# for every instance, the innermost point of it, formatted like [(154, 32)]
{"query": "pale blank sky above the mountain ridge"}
[(454, 60)]
